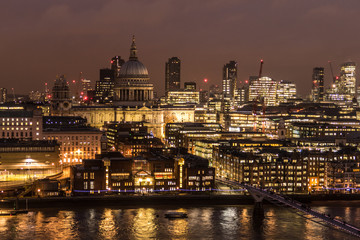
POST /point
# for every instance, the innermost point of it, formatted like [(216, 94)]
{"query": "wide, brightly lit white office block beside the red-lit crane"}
[(263, 89)]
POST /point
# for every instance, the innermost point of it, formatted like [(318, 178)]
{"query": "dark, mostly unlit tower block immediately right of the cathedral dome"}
[(172, 74)]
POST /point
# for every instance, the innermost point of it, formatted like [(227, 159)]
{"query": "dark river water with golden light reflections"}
[(215, 222)]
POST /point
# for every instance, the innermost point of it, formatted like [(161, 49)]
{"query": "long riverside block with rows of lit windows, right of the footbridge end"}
[(279, 170)]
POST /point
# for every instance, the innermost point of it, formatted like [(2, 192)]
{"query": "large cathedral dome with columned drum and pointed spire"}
[(133, 85)]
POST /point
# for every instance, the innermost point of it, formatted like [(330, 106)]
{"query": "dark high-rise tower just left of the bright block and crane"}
[(229, 79)]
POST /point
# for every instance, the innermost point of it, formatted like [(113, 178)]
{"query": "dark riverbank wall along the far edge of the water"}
[(160, 200)]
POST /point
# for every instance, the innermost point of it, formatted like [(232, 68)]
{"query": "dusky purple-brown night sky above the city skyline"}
[(42, 38)]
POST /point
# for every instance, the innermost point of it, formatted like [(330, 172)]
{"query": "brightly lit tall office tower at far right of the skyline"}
[(347, 76)]
